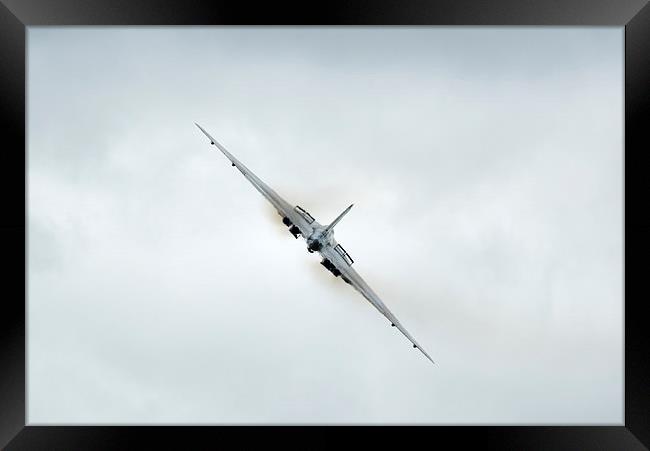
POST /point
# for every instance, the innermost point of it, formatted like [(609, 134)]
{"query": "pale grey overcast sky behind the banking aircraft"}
[(485, 165)]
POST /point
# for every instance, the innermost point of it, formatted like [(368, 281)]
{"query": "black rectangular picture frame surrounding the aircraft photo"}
[(16, 15)]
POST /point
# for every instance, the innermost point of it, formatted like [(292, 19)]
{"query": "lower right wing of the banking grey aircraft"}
[(350, 276)]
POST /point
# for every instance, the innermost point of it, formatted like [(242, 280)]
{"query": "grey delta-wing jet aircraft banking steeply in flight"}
[(319, 239)]
